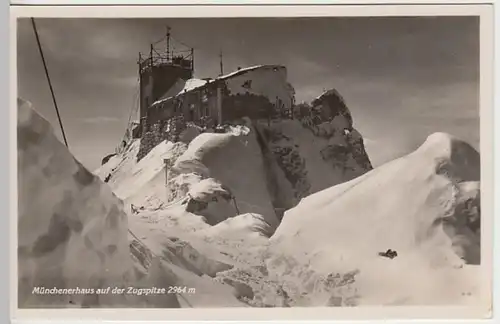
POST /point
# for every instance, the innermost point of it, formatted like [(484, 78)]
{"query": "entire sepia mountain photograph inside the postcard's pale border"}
[(249, 162)]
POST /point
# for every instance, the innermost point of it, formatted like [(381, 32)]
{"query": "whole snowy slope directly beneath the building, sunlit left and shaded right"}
[(216, 176)]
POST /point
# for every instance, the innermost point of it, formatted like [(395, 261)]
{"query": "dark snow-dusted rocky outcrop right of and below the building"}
[(319, 148)]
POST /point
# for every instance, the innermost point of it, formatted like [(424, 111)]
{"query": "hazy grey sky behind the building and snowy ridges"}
[(402, 78)]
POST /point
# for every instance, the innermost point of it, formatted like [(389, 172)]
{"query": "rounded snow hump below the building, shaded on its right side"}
[(232, 174)]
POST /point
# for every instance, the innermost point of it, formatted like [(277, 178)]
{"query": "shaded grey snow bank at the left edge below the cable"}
[(66, 216)]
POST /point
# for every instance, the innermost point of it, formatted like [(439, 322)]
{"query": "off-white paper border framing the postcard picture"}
[(485, 11)]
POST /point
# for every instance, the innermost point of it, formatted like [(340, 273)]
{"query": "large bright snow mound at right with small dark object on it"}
[(424, 207)]
